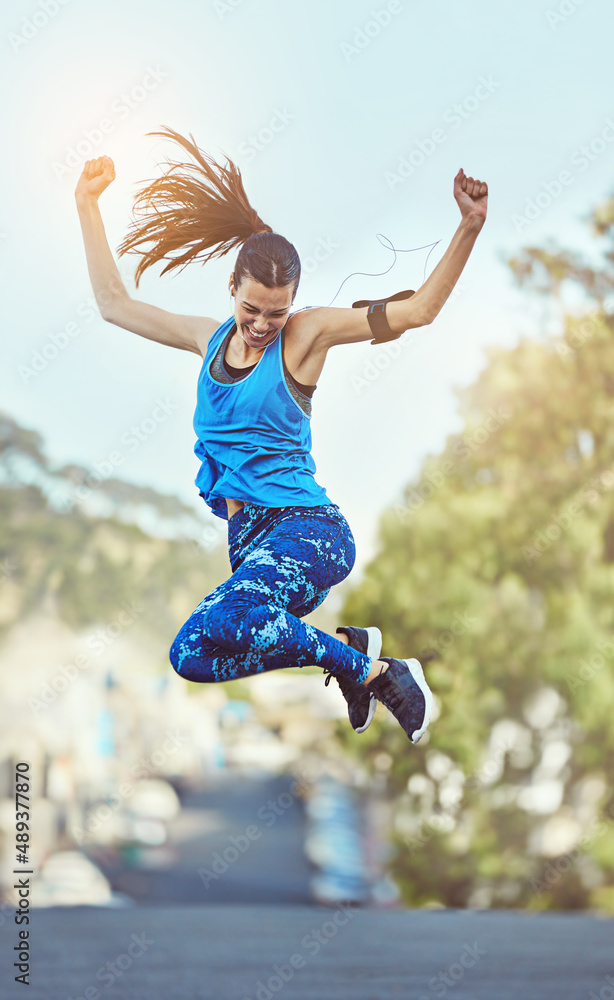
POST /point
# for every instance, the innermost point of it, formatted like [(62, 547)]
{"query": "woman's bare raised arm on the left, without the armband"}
[(188, 333)]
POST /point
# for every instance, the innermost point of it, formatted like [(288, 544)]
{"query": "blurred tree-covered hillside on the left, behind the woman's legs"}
[(83, 565)]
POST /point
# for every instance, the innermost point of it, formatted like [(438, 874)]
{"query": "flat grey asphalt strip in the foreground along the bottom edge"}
[(235, 952)]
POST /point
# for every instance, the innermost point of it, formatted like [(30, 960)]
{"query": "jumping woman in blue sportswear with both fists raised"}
[(288, 541)]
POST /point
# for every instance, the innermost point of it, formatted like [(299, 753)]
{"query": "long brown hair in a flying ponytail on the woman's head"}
[(198, 211)]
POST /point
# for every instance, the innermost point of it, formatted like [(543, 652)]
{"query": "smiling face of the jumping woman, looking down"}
[(260, 312)]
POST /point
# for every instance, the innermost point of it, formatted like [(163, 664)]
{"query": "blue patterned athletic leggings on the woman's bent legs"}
[(284, 562)]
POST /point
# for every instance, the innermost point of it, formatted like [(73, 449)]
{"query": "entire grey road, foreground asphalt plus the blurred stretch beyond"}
[(252, 932)]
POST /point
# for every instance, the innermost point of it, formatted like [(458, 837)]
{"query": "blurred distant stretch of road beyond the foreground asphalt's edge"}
[(270, 868)]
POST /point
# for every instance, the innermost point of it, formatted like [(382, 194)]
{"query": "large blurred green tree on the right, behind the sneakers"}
[(499, 563)]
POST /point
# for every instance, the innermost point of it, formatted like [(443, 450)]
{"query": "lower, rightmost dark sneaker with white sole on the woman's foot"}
[(403, 690)]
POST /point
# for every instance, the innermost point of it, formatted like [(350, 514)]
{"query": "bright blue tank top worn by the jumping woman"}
[(254, 441)]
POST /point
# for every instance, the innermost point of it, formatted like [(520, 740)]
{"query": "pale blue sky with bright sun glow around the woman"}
[(347, 120)]
